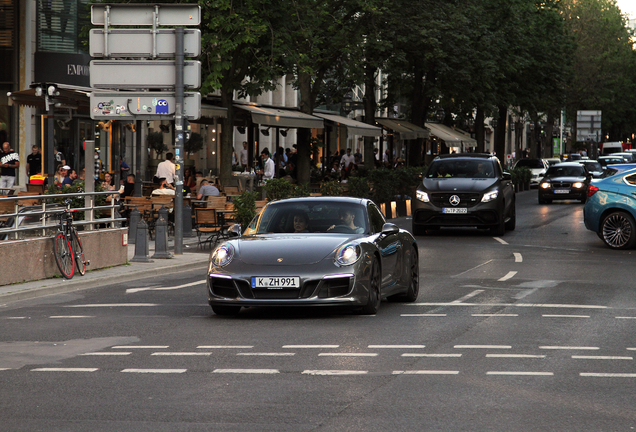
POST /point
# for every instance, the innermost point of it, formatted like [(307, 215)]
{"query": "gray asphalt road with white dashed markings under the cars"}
[(530, 331)]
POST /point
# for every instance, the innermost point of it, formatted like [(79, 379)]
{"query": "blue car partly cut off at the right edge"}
[(610, 210)]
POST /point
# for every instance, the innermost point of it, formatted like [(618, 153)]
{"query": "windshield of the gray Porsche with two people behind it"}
[(313, 217)]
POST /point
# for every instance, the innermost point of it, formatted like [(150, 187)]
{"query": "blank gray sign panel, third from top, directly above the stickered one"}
[(143, 74)]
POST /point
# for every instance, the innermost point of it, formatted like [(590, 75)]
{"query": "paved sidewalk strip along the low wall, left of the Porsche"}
[(193, 258)]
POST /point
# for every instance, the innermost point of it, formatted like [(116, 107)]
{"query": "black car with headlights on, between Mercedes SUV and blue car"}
[(564, 181)]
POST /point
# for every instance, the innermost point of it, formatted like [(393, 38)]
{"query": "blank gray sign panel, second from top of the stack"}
[(142, 43)]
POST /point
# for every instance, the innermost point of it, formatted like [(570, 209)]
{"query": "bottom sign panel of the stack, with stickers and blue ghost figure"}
[(142, 105)]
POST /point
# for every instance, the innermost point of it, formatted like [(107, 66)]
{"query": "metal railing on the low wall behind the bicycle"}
[(36, 217)]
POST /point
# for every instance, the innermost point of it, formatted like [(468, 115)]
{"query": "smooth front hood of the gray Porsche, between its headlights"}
[(291, 249)]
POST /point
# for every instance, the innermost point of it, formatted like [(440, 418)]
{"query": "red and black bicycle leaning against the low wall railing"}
[(68, 251)]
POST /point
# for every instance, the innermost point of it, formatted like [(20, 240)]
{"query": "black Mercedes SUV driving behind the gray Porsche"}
[(465, 190)]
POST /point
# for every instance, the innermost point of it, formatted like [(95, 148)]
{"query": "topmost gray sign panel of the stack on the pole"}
[(144, 14)]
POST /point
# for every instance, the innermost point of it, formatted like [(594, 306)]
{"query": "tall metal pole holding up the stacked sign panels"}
[(178, 125)]
